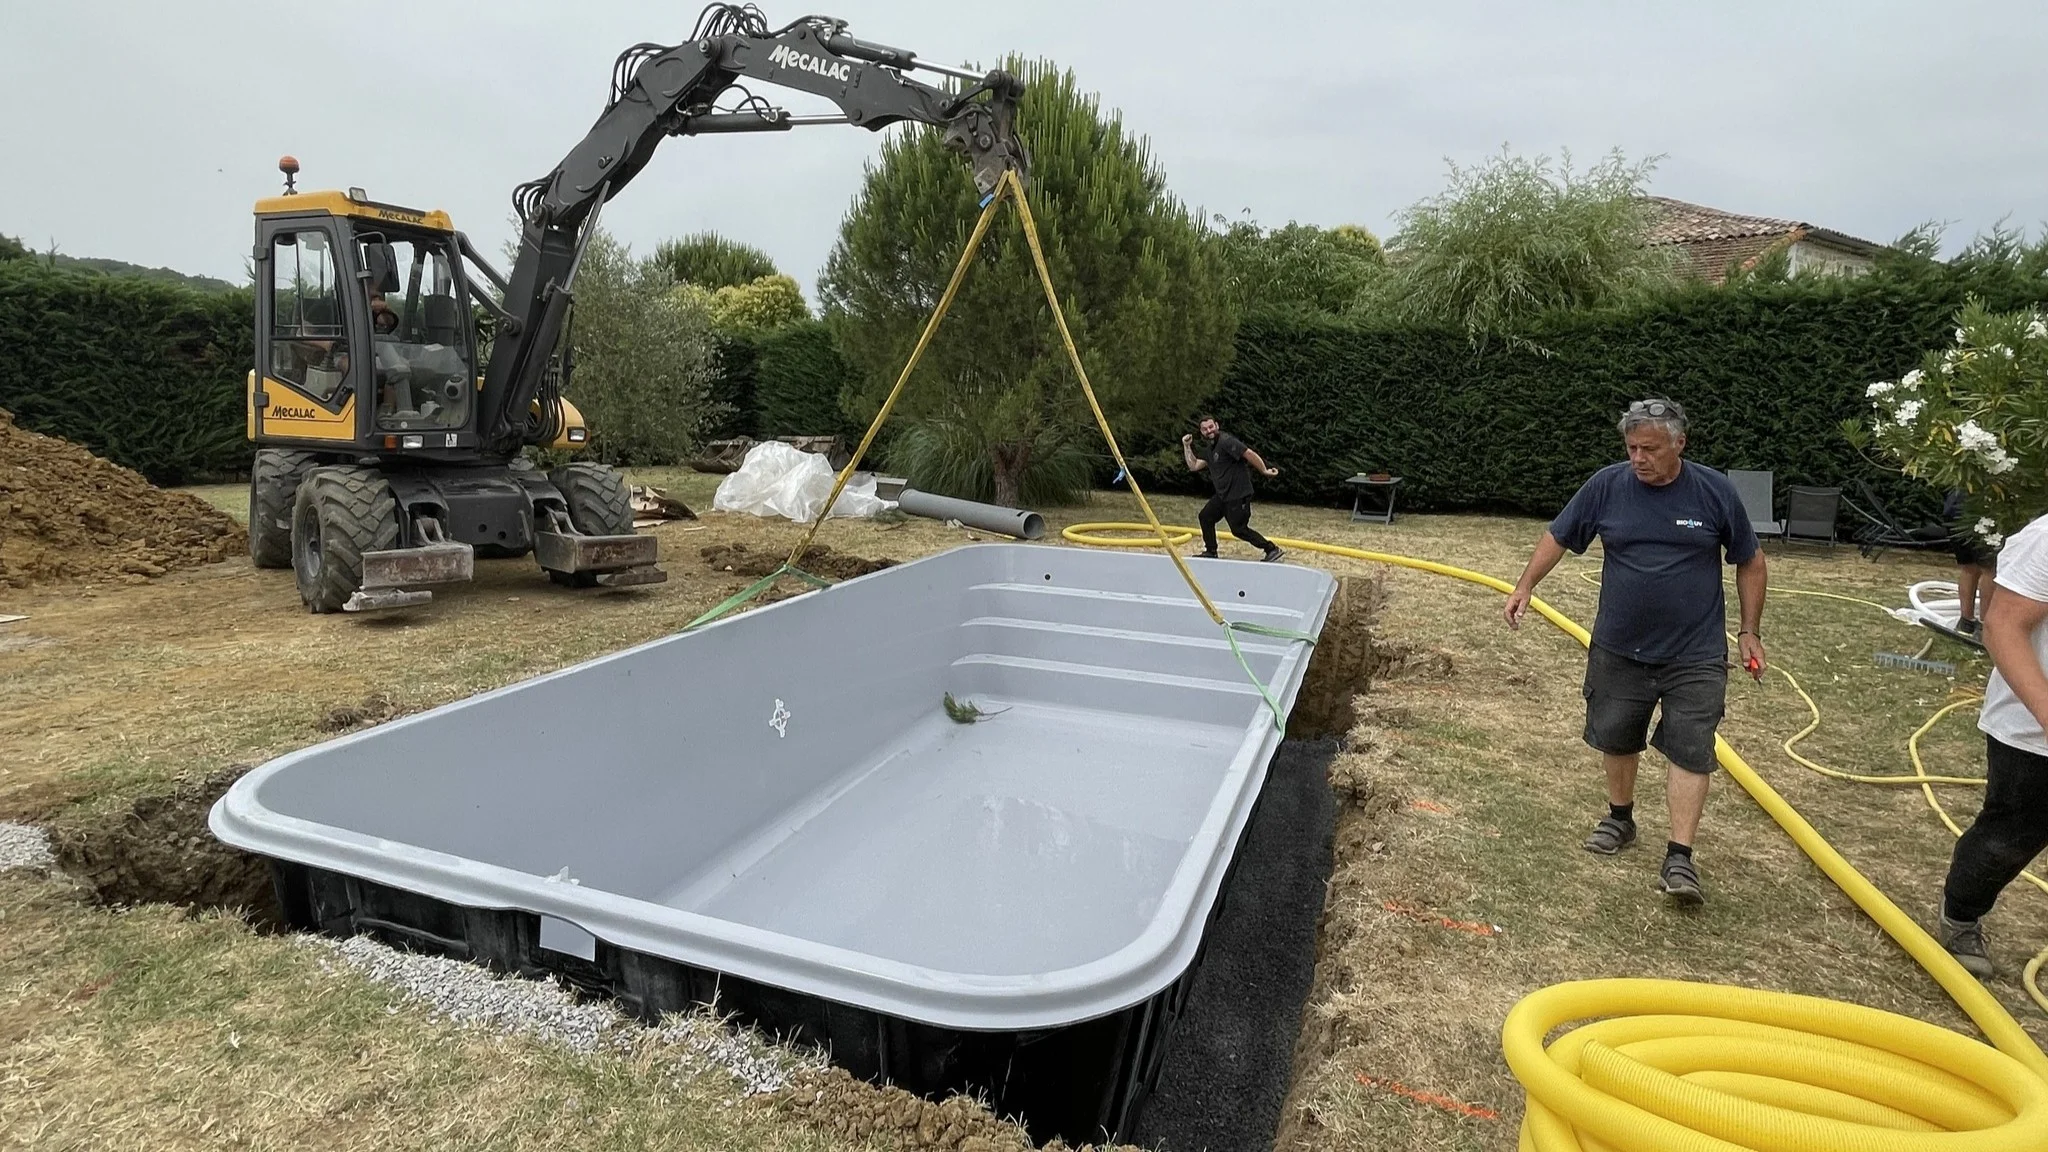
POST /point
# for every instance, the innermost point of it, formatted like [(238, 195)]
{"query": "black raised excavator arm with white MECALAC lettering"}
[(663, 91)]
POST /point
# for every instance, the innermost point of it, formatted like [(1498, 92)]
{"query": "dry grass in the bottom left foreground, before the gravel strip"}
[(155, 1030)]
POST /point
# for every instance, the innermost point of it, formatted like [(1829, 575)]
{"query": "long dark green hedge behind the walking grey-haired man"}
[(1766, 374)]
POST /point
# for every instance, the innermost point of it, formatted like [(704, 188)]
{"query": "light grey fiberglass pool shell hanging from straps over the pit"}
[(783, 798)]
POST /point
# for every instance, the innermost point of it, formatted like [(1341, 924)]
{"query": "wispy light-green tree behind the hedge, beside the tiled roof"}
[(1514, 239)]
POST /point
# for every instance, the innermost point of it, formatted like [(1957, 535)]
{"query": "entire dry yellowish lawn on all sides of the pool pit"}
[(1469, 792)]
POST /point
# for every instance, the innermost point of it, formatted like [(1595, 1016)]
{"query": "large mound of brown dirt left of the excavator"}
[(73, 516)]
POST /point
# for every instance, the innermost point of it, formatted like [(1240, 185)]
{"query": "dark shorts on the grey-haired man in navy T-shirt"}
[(1621, 696)]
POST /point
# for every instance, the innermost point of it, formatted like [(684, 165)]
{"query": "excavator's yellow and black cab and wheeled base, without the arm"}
[(368, 395)]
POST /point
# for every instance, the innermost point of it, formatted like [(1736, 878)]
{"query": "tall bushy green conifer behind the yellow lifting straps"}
[(996, 409)]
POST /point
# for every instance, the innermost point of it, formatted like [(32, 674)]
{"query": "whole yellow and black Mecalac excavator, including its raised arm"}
[(392, 446)]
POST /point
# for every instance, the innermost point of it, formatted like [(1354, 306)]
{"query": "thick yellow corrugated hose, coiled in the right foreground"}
[(1676, 1067)]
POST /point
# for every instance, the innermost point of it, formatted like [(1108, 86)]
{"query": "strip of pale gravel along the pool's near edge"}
[(474, 997)]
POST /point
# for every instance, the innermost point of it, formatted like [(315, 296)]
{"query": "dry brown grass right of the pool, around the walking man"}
[(1478, 792)]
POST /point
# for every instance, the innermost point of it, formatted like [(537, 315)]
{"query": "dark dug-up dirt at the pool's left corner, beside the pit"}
[(159, 850)]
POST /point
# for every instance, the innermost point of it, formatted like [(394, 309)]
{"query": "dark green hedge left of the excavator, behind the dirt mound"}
[(142, 372)]
